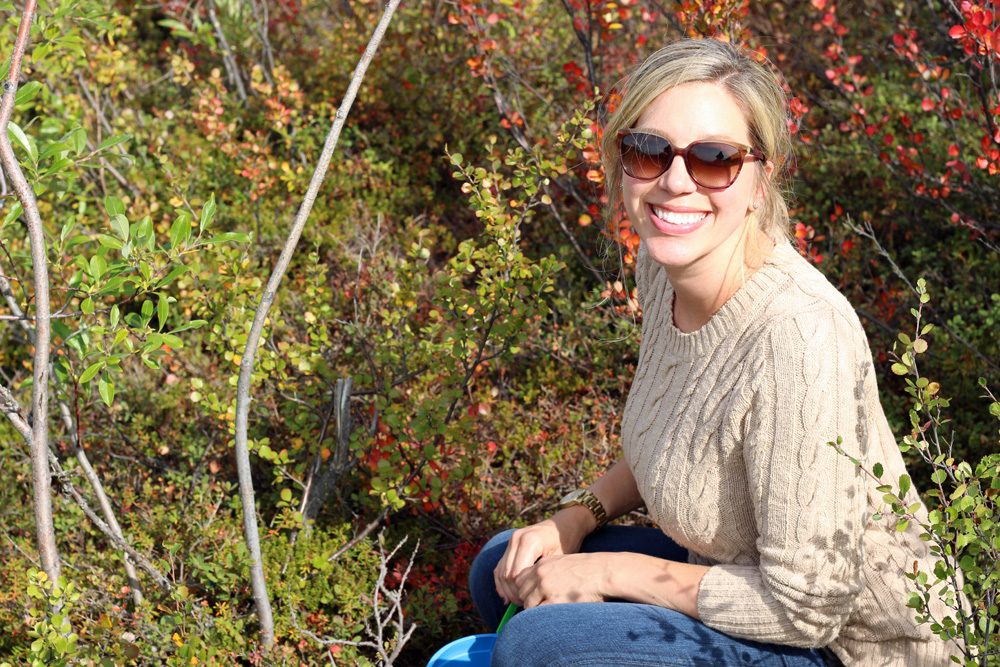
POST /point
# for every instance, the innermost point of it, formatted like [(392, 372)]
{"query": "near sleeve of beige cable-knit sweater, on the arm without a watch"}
[(809, 502)]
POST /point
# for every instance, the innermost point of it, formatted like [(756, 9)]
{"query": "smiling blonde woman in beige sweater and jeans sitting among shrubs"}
[(750, 363)]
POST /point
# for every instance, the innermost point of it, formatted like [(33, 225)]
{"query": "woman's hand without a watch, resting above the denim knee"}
[(565, 578)]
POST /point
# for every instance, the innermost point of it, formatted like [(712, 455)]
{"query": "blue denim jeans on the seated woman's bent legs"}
[(615, 634)]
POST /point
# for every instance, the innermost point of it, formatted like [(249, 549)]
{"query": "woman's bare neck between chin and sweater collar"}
[(700, 291)]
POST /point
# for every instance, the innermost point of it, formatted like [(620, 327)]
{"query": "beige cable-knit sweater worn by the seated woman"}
[(725, 431)]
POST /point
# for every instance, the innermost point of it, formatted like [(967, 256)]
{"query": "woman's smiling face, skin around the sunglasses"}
[(691, 230)]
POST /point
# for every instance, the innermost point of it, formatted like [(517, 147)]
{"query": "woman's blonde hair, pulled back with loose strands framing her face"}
[(753, 88)]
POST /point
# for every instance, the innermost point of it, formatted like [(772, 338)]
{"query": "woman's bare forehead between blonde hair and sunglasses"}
[(693, 111)]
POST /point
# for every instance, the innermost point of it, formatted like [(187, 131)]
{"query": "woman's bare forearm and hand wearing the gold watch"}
[(563, 533)]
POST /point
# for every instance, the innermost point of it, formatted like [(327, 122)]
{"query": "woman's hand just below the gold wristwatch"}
[(558, 536)]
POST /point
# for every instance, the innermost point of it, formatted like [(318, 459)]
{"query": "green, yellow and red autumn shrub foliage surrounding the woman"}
[(454, 341)]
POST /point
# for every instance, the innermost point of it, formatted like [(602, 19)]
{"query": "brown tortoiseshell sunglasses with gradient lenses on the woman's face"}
[(713, 165)]
